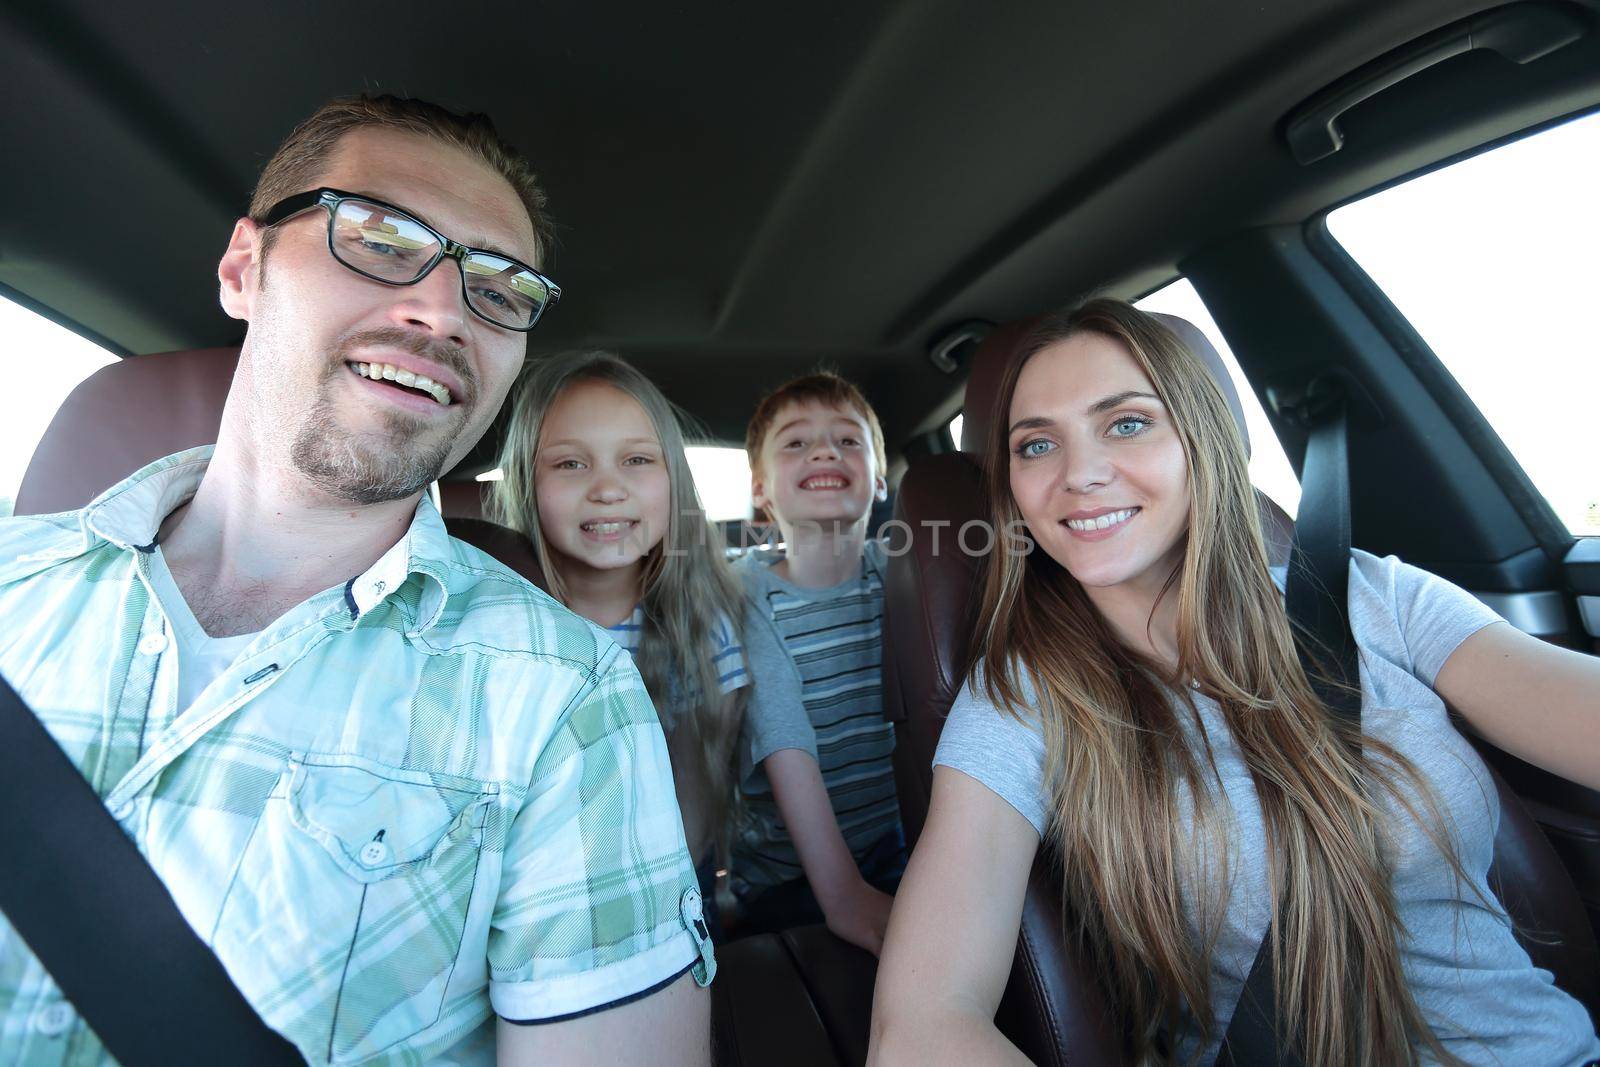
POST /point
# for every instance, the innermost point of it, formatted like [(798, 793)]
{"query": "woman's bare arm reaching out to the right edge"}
[(1530, 698)]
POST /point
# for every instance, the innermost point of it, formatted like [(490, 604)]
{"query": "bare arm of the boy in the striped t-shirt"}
[(854, 909)]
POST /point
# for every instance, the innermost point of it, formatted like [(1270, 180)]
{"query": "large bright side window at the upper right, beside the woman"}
[(1494, 263)]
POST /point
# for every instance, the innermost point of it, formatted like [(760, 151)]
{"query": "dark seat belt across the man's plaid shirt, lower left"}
[(100, 921)]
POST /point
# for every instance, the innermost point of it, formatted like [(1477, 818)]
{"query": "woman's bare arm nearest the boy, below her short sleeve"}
[(953, 933)]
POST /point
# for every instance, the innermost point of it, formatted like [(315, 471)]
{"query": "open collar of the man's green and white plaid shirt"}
[(130, 516)]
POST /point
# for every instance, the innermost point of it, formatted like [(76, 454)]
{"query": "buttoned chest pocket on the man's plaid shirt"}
[(350, 906)]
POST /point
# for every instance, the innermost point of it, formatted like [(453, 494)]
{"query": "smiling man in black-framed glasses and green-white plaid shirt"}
[(394, 788)]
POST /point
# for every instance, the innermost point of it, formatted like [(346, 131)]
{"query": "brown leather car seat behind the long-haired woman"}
[(1054, 1009)]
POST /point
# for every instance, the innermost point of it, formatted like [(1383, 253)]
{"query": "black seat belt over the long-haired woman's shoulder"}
[(1318, 601)]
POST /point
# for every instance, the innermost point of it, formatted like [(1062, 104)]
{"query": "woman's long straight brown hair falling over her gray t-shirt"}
[(1126, 783)]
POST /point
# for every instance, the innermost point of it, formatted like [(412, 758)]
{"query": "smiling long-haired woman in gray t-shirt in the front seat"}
[(1137, 703)]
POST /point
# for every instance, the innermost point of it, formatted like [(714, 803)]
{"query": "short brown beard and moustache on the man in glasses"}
[(377, 466)]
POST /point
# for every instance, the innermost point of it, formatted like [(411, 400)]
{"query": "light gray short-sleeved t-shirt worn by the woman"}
[(1473, 981)]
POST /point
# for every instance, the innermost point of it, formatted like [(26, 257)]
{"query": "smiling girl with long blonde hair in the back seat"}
[(598, 479)]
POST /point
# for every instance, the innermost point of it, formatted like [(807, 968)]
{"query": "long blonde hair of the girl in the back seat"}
[(687, 589)]
